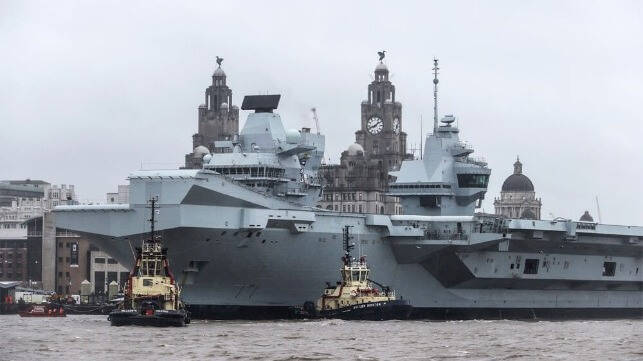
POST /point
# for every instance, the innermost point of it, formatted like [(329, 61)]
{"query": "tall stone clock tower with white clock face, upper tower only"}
[(381, 133)]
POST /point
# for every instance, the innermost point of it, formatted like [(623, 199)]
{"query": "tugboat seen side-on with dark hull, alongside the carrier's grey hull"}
[(354, 297)]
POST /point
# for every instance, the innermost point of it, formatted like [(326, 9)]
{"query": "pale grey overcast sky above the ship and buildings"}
[(91, 91)]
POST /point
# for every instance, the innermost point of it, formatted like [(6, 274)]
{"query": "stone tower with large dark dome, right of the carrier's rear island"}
[(517, 196)]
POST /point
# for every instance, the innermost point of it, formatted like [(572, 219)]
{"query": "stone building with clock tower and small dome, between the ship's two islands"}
[(359, 182)]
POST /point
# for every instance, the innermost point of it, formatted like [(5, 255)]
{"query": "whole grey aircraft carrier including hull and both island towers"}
[(247, 240)]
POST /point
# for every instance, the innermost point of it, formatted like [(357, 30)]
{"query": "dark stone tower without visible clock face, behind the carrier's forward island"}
[(218, 120)]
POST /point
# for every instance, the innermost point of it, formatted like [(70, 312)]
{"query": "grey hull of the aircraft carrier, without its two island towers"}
[(260, 262)]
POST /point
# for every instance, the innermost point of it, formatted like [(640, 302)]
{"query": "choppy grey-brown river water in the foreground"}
[(92, 338)]
